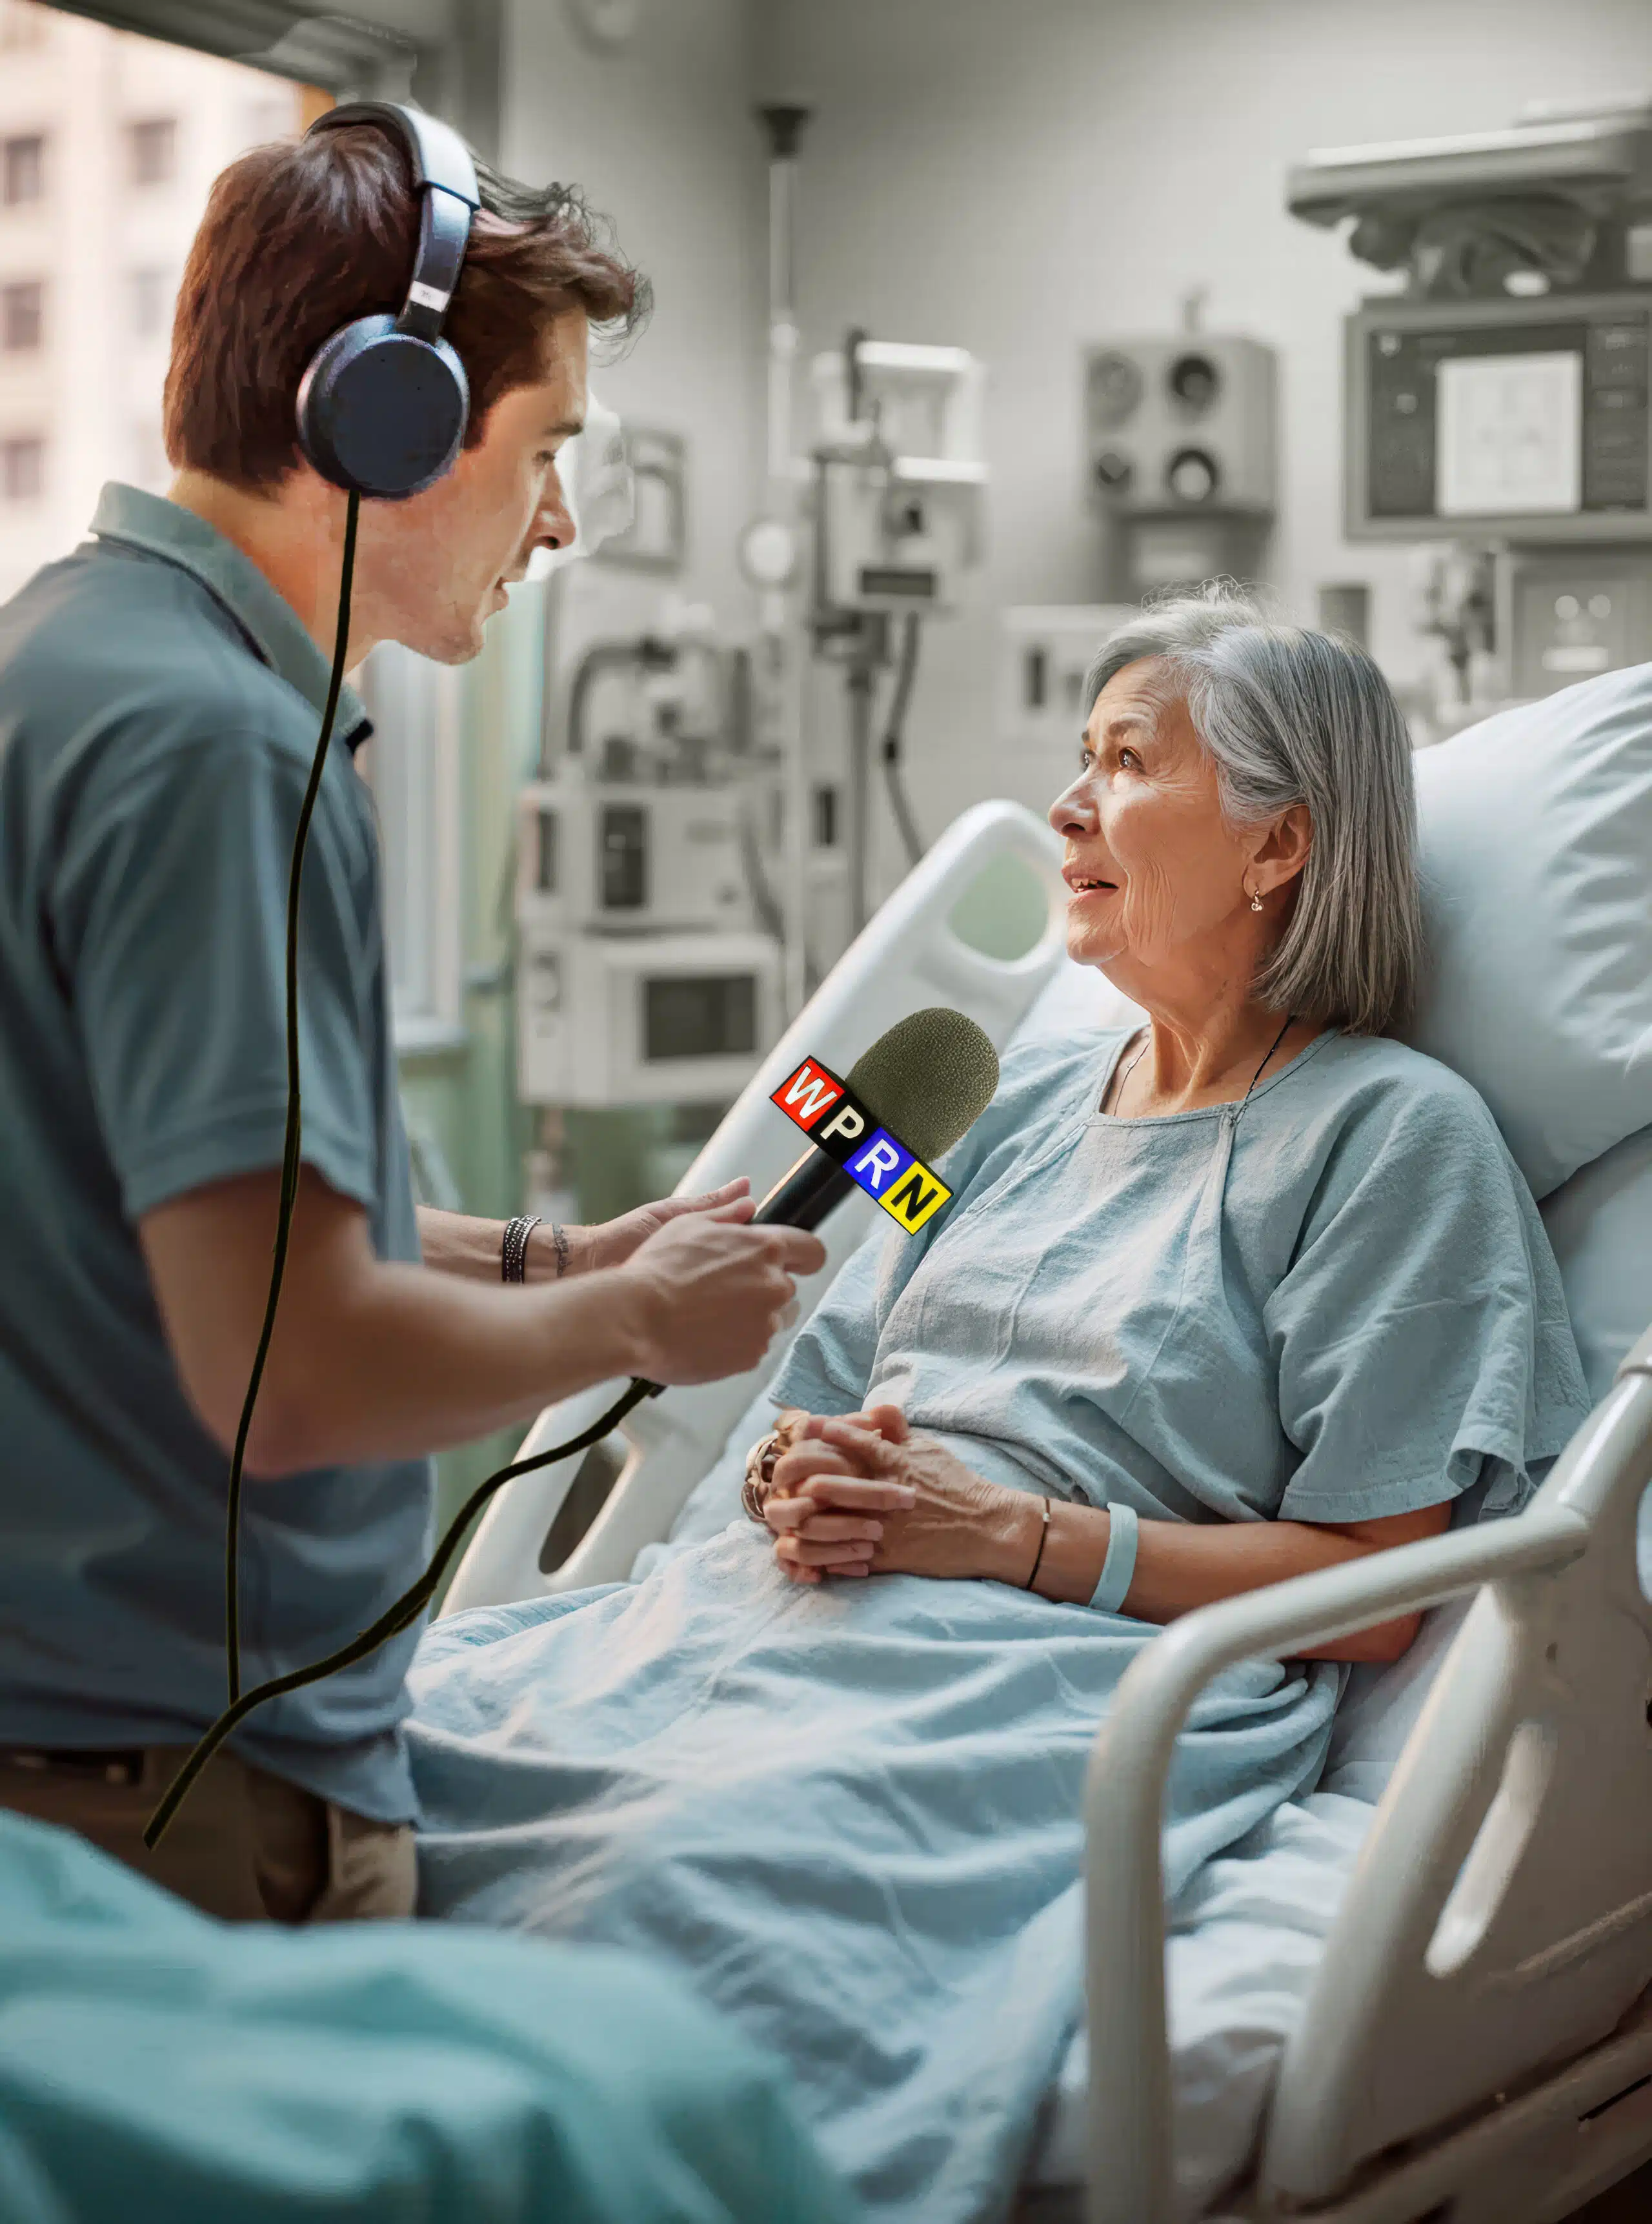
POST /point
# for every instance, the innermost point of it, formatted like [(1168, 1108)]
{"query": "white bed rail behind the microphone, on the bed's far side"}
[(906, 960)]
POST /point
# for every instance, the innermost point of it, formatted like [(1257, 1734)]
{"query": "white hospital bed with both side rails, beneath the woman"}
[(1422, 1994)]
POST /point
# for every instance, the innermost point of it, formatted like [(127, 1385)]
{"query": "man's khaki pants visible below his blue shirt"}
[(246, 1847)]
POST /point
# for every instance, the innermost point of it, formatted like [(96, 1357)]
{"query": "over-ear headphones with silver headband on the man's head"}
[(384, 404)]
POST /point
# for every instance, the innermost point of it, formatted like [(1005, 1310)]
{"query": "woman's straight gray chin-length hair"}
[(1300, 717)]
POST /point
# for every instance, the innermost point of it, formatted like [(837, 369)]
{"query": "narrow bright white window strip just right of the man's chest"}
[(415, 771)]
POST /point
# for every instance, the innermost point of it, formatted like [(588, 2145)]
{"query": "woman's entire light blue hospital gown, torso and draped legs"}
[(850, 1811)]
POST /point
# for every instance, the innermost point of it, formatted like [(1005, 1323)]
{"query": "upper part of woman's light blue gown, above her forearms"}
[(1331, 1307)]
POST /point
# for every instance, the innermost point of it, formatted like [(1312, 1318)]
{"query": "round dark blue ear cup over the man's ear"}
[(384, 413)]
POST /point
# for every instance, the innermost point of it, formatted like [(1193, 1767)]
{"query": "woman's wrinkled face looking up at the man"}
[(1155, 871)]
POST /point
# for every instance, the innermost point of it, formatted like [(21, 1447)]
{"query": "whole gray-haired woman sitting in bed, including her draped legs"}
[(1244, 1293)]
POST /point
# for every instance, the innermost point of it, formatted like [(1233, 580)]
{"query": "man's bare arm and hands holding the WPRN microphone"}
[(381, 1360)]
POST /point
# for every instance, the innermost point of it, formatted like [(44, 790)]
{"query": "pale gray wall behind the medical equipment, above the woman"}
[(1024, 179)]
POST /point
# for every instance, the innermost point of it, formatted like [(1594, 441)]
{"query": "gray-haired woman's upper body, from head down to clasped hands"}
[(1246, 1293)]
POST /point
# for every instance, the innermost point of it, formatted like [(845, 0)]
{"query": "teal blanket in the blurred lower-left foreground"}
[(157, 2065)]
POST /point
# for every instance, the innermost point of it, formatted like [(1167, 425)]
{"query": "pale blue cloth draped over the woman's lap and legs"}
[(846, 1814)]
